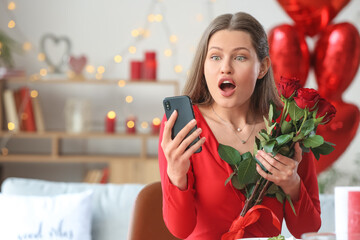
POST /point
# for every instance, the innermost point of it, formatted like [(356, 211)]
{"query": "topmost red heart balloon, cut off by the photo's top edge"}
[(312, 16)]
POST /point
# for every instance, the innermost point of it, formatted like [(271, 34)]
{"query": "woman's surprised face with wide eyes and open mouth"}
[(231, 68)]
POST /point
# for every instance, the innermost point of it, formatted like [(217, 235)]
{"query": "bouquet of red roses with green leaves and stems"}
[(302, 112)]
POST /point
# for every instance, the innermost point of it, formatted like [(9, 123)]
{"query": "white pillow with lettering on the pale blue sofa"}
[(61, 217)]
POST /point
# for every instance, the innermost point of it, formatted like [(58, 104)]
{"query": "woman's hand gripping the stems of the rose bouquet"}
[(282, 170)]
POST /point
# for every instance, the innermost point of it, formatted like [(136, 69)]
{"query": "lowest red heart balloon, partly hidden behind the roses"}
[(340, 131)]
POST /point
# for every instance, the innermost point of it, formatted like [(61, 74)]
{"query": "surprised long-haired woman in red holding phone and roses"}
[(231, 85)]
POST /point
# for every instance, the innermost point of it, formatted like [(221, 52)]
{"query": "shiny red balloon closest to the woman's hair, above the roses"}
[(289, 53)]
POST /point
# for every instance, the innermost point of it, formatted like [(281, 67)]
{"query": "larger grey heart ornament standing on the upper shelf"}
[(56, 50)]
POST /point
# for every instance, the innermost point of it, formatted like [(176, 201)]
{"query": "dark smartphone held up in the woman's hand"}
[(183, 105)]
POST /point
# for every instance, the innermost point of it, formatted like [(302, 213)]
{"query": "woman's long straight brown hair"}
[(265, 89)]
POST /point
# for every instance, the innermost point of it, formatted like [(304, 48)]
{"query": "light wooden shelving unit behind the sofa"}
[(139, 166)]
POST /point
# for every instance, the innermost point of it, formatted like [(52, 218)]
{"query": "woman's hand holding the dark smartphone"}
[(177, 152)]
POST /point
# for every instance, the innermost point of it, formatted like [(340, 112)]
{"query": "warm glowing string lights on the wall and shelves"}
[(156, 14)]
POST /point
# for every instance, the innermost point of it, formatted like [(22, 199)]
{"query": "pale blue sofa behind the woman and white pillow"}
[(112, 204)]
